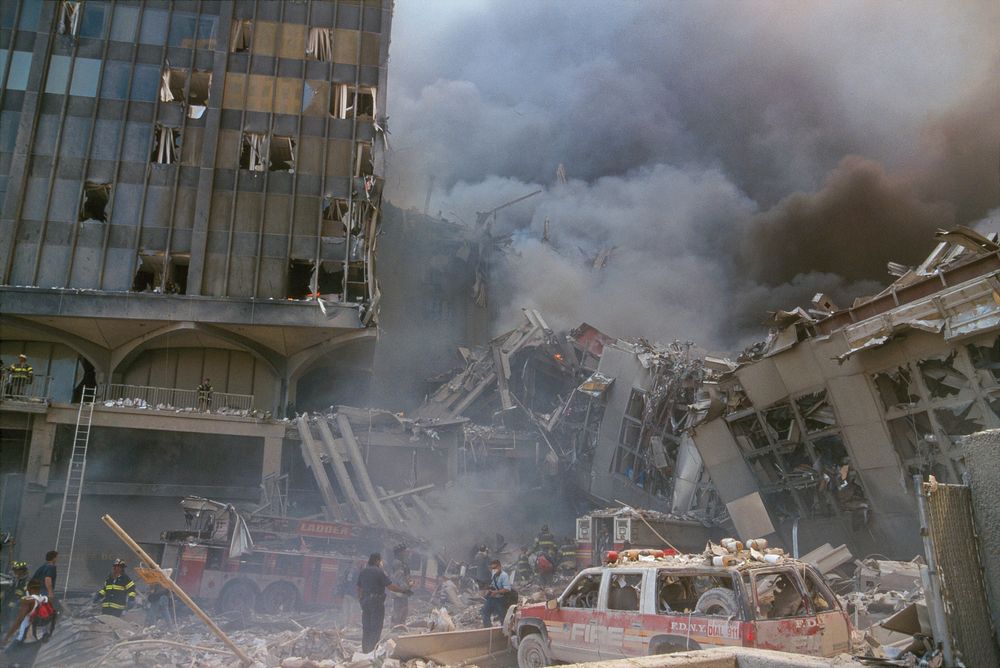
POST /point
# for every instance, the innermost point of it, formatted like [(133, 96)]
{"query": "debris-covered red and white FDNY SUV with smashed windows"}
[(673, 604)]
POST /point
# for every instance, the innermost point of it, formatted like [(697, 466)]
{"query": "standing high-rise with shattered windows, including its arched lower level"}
[(189, 189)]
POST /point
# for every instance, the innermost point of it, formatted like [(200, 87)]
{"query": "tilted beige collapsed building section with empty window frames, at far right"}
[(825, 423)]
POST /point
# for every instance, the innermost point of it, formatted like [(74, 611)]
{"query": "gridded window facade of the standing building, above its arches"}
[(302, 75)]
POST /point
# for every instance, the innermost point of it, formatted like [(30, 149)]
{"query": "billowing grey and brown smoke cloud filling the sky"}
[(738, 157)]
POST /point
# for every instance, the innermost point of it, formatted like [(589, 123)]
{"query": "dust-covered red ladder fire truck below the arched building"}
[(275, 564)]
